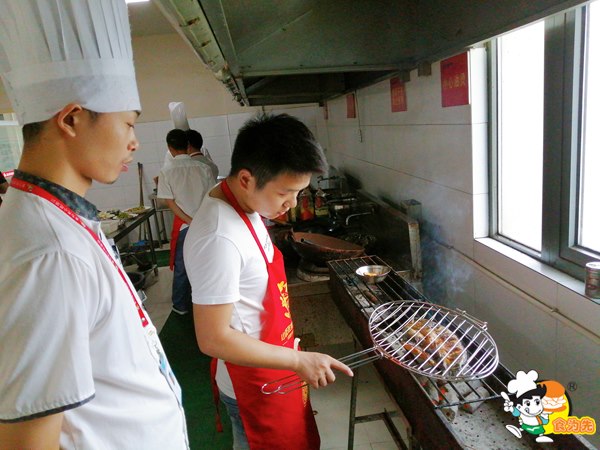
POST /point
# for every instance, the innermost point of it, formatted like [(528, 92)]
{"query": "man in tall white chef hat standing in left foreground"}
[(81, 365)]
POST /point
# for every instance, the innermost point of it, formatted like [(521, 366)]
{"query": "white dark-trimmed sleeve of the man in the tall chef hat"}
[(46, 312)]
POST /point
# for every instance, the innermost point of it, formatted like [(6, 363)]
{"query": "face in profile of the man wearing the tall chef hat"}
[(106, 145)]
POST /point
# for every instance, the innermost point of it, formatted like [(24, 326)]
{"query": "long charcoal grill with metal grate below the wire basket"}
[(428, 405)]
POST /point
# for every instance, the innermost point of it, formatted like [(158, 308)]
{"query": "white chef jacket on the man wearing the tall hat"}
[(72, 339)]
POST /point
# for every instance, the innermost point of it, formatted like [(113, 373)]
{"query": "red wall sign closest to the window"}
[(455, 80)]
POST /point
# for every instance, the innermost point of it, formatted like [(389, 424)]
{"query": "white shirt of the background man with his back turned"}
[(186, 181)]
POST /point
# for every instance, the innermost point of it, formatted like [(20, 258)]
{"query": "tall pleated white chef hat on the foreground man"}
[(61, 51)]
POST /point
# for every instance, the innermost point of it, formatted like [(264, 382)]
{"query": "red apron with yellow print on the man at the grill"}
[(274, 421)]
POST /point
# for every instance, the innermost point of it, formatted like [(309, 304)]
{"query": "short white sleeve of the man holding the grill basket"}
[(213, 267)]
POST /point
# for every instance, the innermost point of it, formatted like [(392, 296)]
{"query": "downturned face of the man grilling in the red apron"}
[(278, 195)]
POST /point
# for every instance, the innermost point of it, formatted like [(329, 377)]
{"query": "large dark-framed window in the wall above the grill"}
[(545, 136)]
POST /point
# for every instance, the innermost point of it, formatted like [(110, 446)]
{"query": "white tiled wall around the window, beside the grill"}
[(438, 156)]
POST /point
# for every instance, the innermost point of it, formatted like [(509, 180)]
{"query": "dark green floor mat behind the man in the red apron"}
[(192, 369)]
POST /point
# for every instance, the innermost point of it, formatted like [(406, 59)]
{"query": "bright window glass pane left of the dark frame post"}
[(520, 135)]
